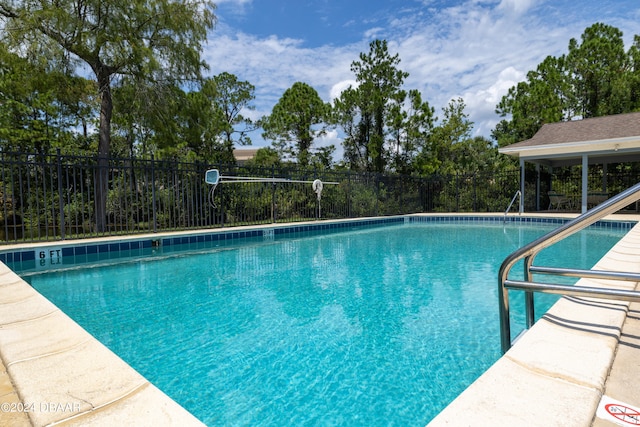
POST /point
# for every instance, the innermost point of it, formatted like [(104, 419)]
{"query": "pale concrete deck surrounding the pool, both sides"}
[(52, 372)]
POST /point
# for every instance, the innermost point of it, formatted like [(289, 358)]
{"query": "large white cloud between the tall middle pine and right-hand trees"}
[(477, 53)]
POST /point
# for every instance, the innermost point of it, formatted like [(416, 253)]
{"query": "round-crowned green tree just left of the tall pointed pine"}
[(299, 117)]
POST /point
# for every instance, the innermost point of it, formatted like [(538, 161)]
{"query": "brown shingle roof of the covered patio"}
[(593, 129)]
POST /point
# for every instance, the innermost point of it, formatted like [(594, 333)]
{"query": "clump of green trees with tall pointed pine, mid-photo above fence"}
[(389, 129)]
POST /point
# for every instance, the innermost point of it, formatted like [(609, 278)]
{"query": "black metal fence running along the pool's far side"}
[(54, 197)]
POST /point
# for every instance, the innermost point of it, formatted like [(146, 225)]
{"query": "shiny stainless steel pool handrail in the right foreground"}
[(529, 252)]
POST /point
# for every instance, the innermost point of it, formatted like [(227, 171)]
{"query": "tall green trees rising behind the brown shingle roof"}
[(595, 78)]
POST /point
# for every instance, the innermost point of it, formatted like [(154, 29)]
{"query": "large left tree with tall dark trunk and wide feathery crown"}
[(155, 39)]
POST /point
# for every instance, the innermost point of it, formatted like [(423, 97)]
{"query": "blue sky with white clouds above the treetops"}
[(470, 49)]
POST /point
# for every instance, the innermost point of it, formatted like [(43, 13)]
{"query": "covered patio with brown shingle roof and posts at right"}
[(598, 140)]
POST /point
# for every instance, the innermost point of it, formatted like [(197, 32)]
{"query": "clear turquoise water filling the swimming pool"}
[(373, 326)]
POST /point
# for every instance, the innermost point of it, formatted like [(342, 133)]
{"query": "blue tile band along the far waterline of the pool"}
[(33, 254)]
